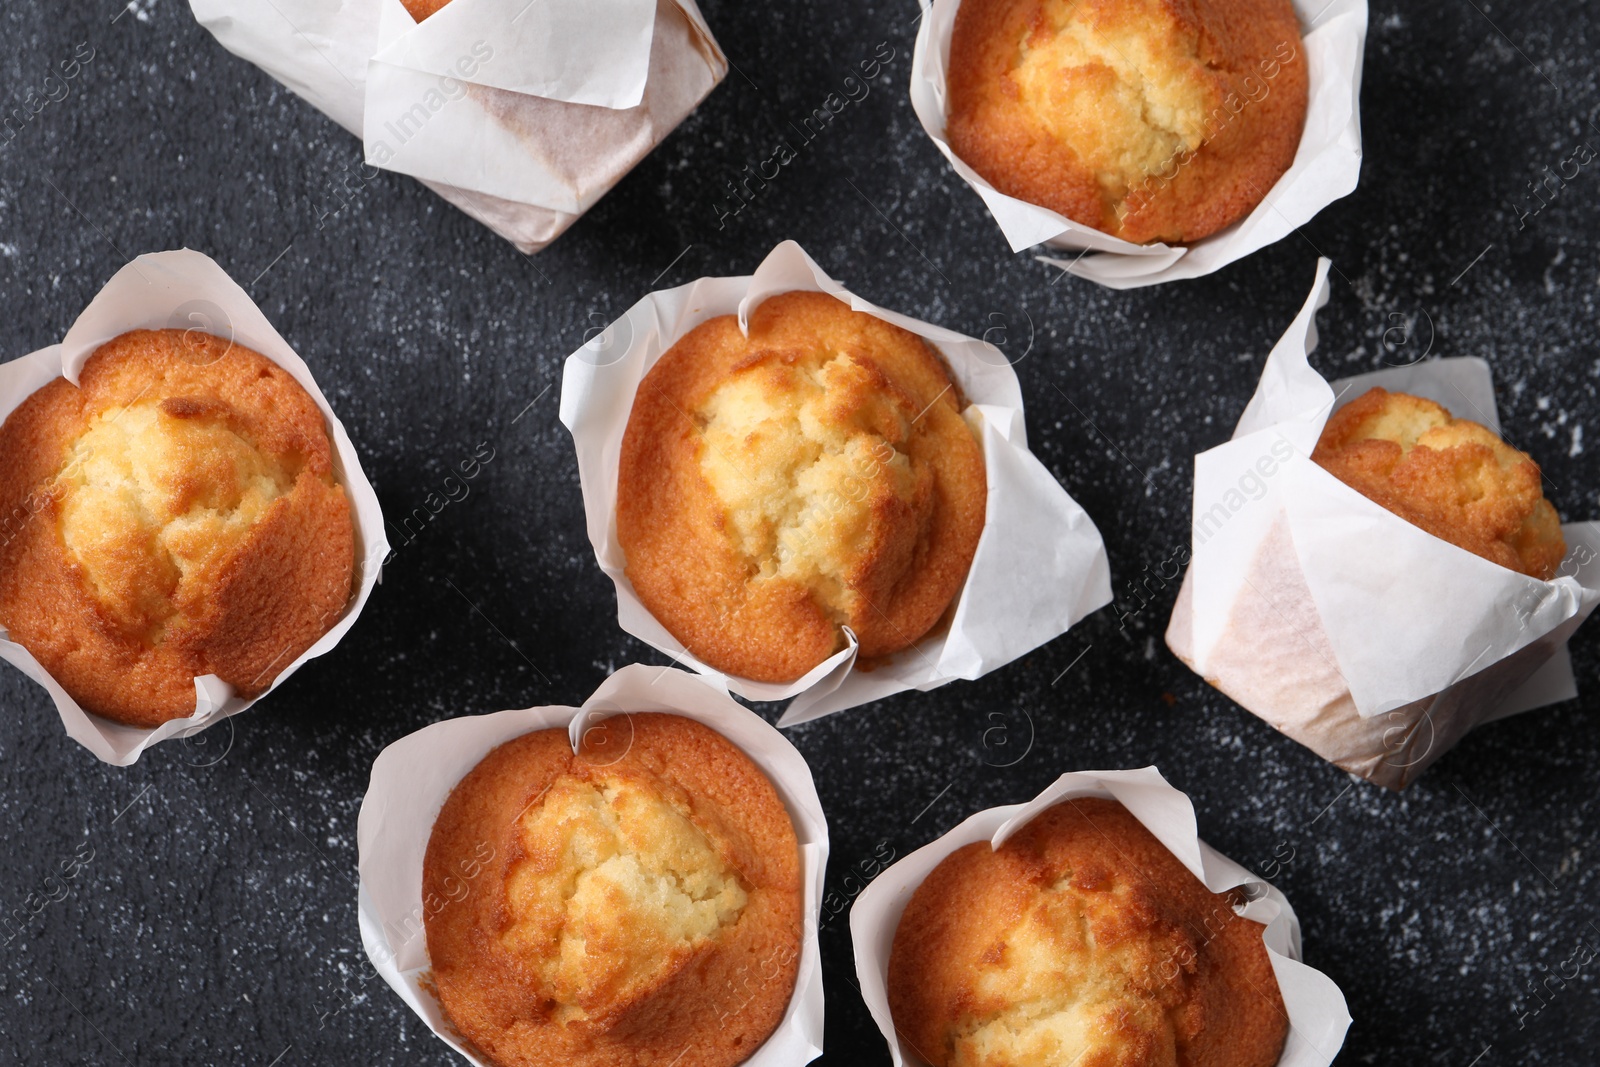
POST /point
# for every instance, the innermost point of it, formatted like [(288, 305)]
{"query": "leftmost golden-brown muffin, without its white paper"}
[(172, 516)]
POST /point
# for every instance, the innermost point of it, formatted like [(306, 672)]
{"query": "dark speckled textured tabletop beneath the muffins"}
[(210, 916)]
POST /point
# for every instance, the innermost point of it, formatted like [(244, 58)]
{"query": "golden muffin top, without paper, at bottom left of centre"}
[(638, 903)]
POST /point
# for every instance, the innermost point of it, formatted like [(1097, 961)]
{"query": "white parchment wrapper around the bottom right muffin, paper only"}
[(1316, 1007)]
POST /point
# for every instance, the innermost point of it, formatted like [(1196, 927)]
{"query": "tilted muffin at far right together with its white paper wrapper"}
[(1378, 581)]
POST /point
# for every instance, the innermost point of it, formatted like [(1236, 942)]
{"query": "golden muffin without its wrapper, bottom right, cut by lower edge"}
[(1081, 941)]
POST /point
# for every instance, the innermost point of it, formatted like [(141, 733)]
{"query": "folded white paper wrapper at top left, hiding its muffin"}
[(519, 113)]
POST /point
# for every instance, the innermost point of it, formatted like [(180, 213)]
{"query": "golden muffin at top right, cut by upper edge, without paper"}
[(1151, 121)]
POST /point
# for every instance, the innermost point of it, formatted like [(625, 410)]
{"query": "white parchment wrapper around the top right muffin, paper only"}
[(1326, 169)]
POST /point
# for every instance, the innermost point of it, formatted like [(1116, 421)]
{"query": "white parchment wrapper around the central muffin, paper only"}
[(1041, 564)]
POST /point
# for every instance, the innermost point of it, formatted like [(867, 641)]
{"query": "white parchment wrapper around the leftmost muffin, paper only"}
[(188, 290)]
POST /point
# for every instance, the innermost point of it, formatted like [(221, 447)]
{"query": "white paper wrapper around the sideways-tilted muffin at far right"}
[(1361, 636)]
